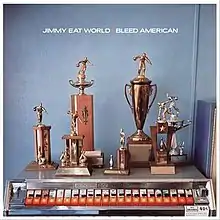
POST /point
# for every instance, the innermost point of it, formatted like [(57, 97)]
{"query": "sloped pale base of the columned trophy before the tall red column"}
[(73, 171)]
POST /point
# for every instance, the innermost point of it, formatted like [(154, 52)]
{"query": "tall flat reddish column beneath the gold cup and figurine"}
[(83, 104)]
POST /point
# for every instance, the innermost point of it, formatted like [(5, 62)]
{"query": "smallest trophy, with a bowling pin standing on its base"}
[(122, 159)]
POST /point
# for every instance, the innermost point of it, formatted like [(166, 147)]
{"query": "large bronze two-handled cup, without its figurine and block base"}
[(140, 91)]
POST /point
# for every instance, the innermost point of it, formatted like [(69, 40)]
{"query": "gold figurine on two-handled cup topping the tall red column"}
[(81, 82)]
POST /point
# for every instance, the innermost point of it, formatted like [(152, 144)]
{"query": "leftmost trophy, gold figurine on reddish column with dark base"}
[(42, 144)]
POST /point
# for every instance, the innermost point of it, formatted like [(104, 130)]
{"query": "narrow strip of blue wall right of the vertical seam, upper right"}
[(206, 66)]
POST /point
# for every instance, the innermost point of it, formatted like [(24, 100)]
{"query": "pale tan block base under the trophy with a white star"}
[(164, 169)]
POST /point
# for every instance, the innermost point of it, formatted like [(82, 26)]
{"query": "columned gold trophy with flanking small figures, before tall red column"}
[(73, 161)]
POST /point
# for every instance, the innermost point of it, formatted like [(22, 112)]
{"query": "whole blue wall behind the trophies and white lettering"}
[(37, 68)]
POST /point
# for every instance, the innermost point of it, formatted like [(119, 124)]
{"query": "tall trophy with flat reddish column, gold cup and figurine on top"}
[(83, 104)]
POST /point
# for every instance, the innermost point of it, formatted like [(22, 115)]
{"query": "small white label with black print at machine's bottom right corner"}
[(197, 210)]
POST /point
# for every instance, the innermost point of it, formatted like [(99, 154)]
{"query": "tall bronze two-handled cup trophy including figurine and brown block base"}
[(140, 89)]
